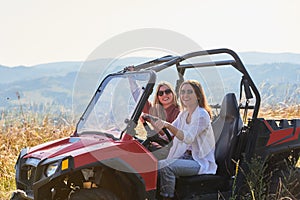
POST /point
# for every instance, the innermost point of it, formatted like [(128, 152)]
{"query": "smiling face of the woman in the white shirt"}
[(188, 96)]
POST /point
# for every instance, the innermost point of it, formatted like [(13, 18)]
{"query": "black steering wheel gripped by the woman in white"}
[(153, 136)]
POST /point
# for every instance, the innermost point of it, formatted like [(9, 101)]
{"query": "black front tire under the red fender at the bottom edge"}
[(93, 194)]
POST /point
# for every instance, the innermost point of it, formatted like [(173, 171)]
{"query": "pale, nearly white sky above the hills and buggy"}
[(35, 31)]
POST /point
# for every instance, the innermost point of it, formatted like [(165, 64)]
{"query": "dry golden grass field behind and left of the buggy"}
[(21, 130)]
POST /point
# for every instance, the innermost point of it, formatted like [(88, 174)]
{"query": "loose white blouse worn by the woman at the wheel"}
[(198, 135)]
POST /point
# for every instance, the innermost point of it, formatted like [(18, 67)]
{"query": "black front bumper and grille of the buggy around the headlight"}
[(32, 181)]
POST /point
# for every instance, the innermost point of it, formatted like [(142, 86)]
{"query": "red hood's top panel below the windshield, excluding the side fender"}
[(67, 145)]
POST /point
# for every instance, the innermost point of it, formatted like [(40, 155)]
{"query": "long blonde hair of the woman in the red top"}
[(158, 109)]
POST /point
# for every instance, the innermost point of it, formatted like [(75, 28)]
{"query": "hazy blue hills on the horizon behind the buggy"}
[(53, 83)]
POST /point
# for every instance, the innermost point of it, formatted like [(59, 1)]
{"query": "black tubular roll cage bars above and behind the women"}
[(247, 86)]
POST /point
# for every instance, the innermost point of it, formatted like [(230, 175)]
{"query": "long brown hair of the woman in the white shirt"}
[(198, 89)]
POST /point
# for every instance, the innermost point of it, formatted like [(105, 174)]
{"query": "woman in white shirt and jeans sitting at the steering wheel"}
[(193, 147)]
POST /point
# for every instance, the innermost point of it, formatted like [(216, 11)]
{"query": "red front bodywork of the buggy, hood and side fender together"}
[(89, 149)]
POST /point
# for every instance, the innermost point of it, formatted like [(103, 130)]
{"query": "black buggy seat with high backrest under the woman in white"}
[(226, 129)]
